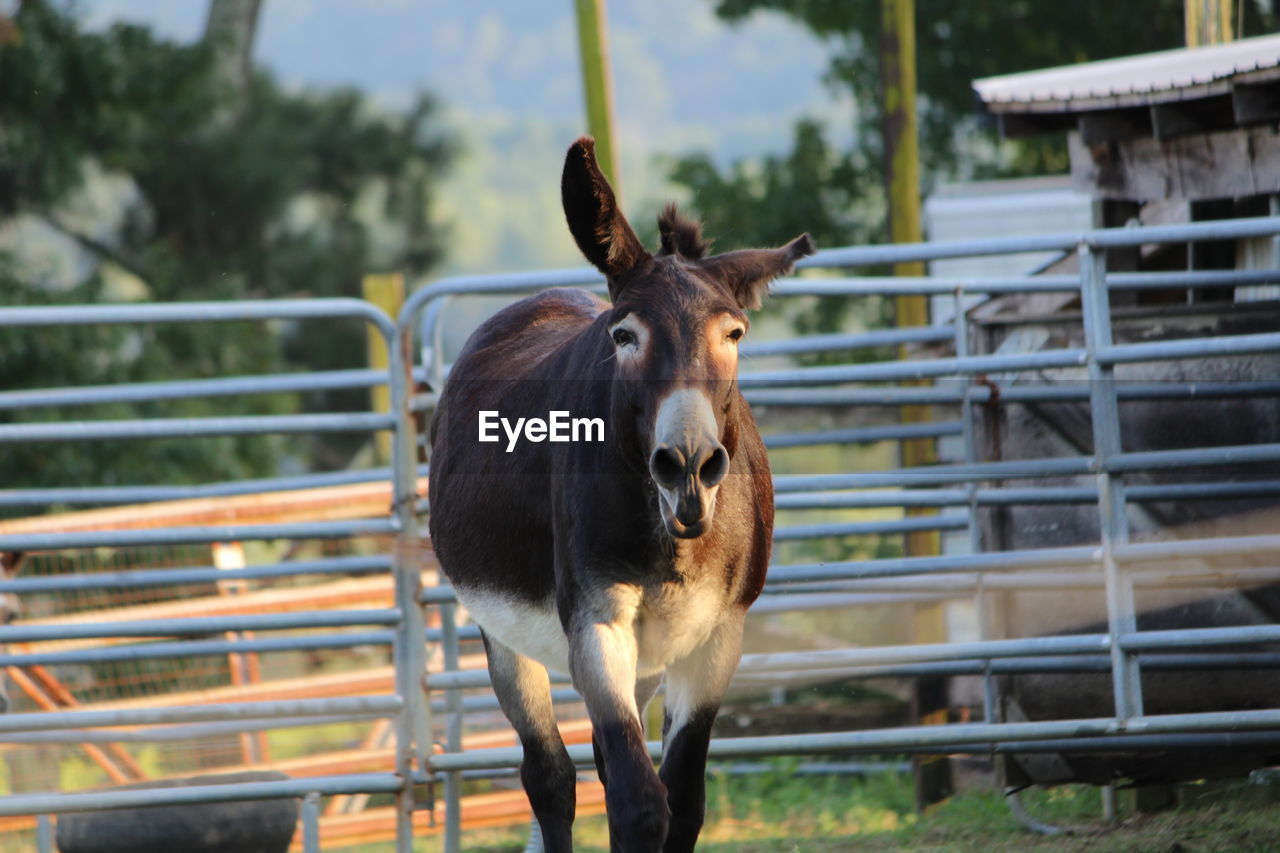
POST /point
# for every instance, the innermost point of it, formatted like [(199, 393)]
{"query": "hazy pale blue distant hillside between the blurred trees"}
[(684, 81)]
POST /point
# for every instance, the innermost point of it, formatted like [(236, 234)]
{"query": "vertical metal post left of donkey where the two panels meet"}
[(413, 723)]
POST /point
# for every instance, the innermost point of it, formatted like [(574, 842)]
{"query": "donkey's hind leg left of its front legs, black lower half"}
[(525, 695)]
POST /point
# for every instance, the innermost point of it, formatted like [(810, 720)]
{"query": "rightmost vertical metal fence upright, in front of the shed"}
[(1105, 410)]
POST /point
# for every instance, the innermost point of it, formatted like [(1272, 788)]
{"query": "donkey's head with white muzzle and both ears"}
[(676, 322)]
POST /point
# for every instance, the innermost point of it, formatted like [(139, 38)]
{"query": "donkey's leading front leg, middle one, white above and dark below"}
[(604, 665)]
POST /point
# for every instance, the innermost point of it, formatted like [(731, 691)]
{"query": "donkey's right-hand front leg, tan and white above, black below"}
[(696, 687)]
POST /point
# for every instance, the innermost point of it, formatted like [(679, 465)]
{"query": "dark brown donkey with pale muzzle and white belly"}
[(625, 559)]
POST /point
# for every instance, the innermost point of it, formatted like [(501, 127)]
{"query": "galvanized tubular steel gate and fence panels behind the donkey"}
[(1114, 563)]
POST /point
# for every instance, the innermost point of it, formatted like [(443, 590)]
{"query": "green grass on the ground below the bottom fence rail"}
[(780, 813)]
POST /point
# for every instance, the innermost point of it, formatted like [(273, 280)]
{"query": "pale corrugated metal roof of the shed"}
[(1135, 81)]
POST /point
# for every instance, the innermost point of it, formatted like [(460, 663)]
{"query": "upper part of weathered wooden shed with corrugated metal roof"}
[(1190, 125)]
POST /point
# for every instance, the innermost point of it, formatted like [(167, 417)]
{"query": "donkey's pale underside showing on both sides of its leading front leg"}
[(669, 626)]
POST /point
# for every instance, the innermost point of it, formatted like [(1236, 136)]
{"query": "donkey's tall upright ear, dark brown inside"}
[(598, 227)]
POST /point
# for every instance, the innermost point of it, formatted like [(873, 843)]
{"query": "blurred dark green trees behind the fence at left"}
[(231, 193)]
